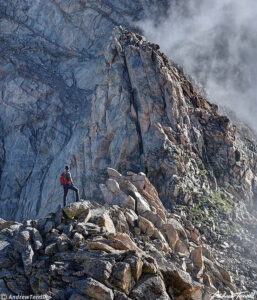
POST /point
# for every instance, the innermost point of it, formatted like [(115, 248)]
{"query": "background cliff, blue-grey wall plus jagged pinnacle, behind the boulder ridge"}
[(77, 90)]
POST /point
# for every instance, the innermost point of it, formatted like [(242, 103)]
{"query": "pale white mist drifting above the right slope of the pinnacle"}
[(215, 42)]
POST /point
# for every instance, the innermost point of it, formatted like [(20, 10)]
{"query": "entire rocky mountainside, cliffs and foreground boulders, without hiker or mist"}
[(169, 182)]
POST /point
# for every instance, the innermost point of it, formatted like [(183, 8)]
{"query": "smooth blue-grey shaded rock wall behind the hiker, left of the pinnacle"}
[(51, 64)]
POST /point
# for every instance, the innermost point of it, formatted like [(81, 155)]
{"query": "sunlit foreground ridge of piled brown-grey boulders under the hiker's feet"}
[(130, 248)]
